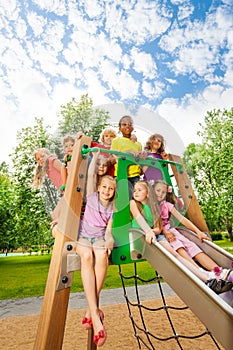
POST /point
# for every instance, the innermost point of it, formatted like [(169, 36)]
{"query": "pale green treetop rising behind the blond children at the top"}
[(82, 116)]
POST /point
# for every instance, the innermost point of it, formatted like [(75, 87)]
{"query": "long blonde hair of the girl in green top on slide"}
[(152, 203)]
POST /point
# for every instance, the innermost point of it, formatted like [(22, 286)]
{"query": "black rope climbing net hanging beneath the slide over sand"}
[(147, 320)]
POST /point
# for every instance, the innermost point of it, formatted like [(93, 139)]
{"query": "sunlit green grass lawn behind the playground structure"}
[(25, 276)]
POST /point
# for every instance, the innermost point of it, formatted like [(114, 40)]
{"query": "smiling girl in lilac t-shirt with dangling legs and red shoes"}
[(95, 244)]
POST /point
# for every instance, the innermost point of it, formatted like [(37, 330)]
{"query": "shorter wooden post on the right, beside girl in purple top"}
[(190, 200)]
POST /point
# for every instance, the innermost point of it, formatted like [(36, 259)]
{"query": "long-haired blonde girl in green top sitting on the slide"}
[(143, 209)]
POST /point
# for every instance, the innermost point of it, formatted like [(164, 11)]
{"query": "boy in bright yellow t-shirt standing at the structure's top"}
[(125, 144)]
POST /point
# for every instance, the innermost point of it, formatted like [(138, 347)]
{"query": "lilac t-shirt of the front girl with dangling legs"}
[(96, 217)]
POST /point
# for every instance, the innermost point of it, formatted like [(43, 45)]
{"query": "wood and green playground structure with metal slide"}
[(130, 246)]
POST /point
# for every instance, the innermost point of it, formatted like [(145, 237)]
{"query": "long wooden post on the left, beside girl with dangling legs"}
[(51, 326)]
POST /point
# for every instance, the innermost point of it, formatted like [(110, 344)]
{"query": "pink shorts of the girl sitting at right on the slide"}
[(182, 242)]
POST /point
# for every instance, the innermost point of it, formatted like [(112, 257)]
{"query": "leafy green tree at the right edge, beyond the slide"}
[(210, 165)]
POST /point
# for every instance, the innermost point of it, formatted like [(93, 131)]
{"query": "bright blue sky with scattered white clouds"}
[(172, 60)]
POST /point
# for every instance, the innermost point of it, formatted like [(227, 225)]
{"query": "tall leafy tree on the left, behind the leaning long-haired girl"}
[(32, 213)]
